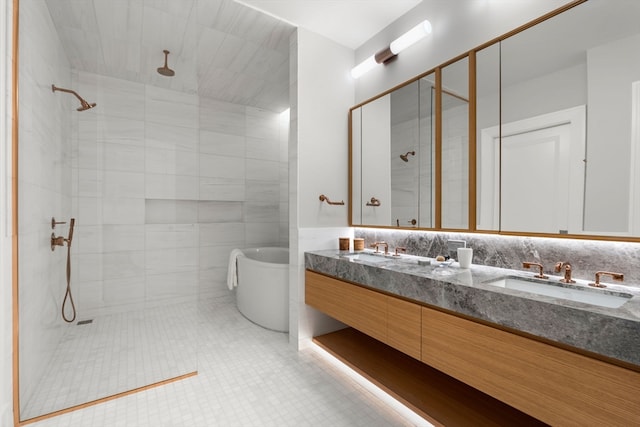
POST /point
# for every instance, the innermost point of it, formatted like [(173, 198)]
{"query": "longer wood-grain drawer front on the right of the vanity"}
[(554, 385)]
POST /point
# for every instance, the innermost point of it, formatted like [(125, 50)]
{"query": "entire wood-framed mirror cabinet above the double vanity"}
[(555, 119)]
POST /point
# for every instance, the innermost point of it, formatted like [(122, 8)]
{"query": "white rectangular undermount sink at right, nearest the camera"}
[(585, 295)]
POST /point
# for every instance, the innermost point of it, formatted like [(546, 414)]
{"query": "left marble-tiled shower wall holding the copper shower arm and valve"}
[(44, 182)]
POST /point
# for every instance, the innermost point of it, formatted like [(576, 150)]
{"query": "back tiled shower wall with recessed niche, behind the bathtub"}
[(167, 183)]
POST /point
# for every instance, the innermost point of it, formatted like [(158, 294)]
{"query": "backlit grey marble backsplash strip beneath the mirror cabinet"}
[(585, 256)]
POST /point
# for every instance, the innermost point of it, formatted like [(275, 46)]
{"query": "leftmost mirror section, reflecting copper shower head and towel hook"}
[(392, 156)]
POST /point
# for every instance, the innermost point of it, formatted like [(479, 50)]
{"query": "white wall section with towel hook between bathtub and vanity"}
[(321, 93)]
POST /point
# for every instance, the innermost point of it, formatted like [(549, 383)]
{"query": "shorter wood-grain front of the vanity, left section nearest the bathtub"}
[(388, 319)]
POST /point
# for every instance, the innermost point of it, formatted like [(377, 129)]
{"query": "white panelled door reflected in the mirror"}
[(541, 172)]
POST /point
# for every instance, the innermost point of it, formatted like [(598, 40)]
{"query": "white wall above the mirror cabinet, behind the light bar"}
[(455, 31)]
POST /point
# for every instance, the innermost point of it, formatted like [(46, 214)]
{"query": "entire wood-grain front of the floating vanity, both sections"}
[(552, 384)]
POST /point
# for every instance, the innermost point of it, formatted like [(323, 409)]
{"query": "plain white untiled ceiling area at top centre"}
[(348, 22)]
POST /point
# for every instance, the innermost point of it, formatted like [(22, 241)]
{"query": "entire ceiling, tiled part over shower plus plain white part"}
[(220, 49)]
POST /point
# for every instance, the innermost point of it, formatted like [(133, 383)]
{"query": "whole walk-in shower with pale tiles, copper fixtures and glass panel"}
[(162, 179)]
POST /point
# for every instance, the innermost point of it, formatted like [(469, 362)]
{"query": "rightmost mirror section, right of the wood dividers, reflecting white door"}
[(558, 168)]
